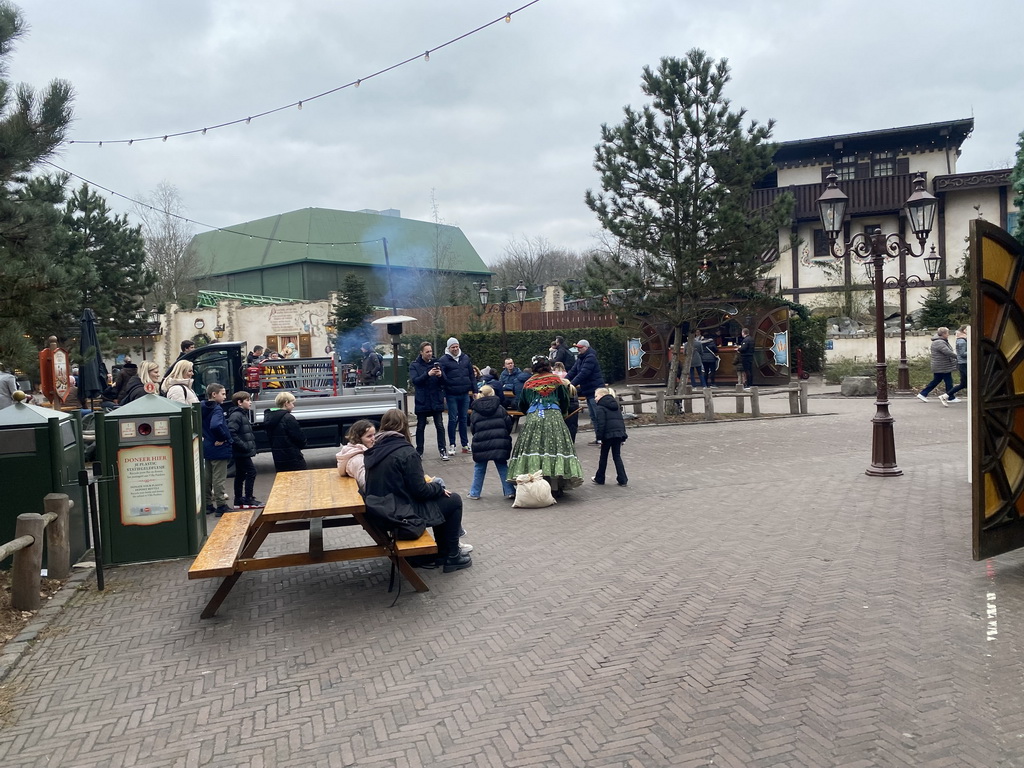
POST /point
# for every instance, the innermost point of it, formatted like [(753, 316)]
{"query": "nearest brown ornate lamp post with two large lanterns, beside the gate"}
[(875, 248)]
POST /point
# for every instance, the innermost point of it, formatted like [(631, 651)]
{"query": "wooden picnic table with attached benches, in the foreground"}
[(310, 500)]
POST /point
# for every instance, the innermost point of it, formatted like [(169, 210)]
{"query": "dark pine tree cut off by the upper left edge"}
[(32, 126)]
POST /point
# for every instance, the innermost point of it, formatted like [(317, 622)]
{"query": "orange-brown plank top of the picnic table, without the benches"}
[(312, 493)]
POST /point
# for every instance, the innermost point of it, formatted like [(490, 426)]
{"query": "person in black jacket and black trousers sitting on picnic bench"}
[(394, 467)]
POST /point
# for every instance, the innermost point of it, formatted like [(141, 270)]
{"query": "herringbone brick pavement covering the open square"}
[(752, 600)]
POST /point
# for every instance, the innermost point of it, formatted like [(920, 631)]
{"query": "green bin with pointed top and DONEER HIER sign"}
[(151, 505)]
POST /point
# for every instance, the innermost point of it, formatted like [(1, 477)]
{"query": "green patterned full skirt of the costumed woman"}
[(545, 445)]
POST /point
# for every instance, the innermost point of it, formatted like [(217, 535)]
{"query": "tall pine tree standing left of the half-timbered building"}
[(676, 181)]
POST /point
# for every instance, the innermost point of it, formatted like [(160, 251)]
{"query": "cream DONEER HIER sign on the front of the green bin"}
[(147, 476)]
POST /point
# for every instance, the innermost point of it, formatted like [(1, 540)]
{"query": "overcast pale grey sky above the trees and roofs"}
[(499, 127)]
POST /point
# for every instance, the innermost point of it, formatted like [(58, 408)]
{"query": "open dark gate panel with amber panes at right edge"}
[(997, 391)]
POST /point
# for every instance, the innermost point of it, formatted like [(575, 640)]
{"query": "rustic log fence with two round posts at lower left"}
[(28, 550)]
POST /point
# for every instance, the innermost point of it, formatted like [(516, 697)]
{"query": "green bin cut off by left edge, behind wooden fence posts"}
[(41, 453)]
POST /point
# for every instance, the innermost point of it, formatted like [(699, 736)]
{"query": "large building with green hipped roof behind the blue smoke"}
[(306, 254)]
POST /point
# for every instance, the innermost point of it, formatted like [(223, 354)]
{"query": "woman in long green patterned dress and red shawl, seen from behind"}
[(544, 440)]
